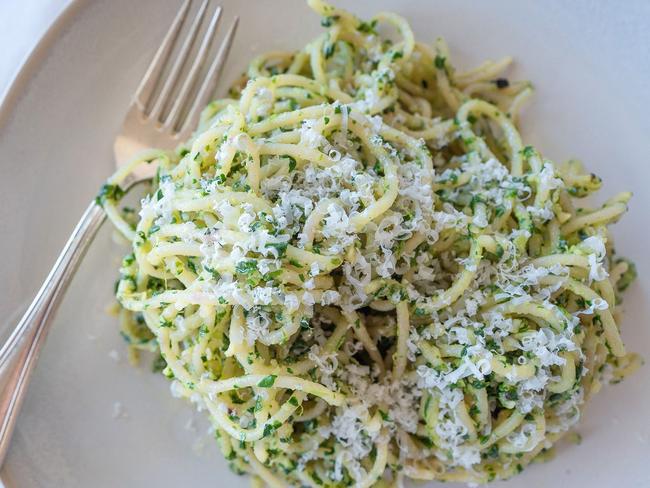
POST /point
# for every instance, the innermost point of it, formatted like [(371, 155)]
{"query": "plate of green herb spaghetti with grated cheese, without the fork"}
[(397, 249)]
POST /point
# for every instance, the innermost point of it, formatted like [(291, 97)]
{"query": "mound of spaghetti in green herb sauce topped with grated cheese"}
[(362, 273)]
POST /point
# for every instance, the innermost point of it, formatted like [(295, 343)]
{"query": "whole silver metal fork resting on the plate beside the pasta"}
[(163, 112)]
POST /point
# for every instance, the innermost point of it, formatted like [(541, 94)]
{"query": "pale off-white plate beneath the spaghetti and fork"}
[(591, 66)]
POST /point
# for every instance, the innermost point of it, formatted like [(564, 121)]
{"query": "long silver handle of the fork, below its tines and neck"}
[(18, 355)]
